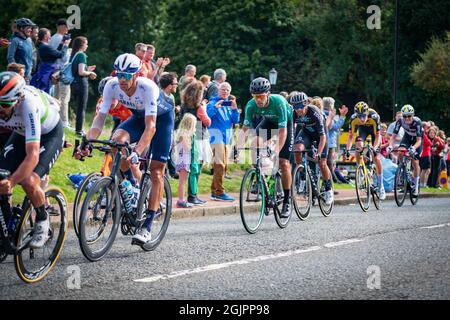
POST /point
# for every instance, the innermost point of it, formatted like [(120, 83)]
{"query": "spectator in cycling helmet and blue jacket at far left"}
[(21, 49)]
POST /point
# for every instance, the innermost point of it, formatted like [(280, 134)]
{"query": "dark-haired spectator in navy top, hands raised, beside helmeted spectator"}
[(47, 56)]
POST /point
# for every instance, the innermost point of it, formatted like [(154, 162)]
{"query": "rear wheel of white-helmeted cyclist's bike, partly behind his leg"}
[(162, 218)]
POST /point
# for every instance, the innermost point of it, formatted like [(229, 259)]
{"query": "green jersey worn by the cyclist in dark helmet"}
[(278, 111)]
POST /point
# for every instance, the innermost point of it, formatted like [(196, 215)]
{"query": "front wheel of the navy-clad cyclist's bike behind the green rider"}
[(301, 192)]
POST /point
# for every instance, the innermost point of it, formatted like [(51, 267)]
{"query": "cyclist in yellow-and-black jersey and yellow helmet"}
[(365, 122)]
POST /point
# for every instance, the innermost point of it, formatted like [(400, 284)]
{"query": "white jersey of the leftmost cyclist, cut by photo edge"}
[(36, 114)]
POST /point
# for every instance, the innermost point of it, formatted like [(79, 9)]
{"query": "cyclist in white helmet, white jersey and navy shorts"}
[(140, 95)]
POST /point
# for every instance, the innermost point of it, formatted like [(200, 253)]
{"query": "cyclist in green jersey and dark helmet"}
[(276, 115)]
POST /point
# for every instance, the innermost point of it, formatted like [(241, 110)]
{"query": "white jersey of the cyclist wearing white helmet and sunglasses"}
[(144, 100)]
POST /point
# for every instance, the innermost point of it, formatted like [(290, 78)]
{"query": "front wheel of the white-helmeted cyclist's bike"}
[(99, 219)]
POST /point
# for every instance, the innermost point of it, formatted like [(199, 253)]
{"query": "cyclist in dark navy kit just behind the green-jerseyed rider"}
[(311, 128)]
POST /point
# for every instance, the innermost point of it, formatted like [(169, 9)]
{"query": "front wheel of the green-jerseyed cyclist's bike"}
[(252, 201)]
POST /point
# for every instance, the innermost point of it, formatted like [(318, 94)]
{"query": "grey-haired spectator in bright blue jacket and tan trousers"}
[(223, 113)]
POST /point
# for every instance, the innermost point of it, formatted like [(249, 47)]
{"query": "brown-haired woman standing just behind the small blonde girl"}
[(192, 103)]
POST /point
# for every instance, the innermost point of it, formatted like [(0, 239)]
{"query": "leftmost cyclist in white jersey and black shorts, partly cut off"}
[(34, 145)]
